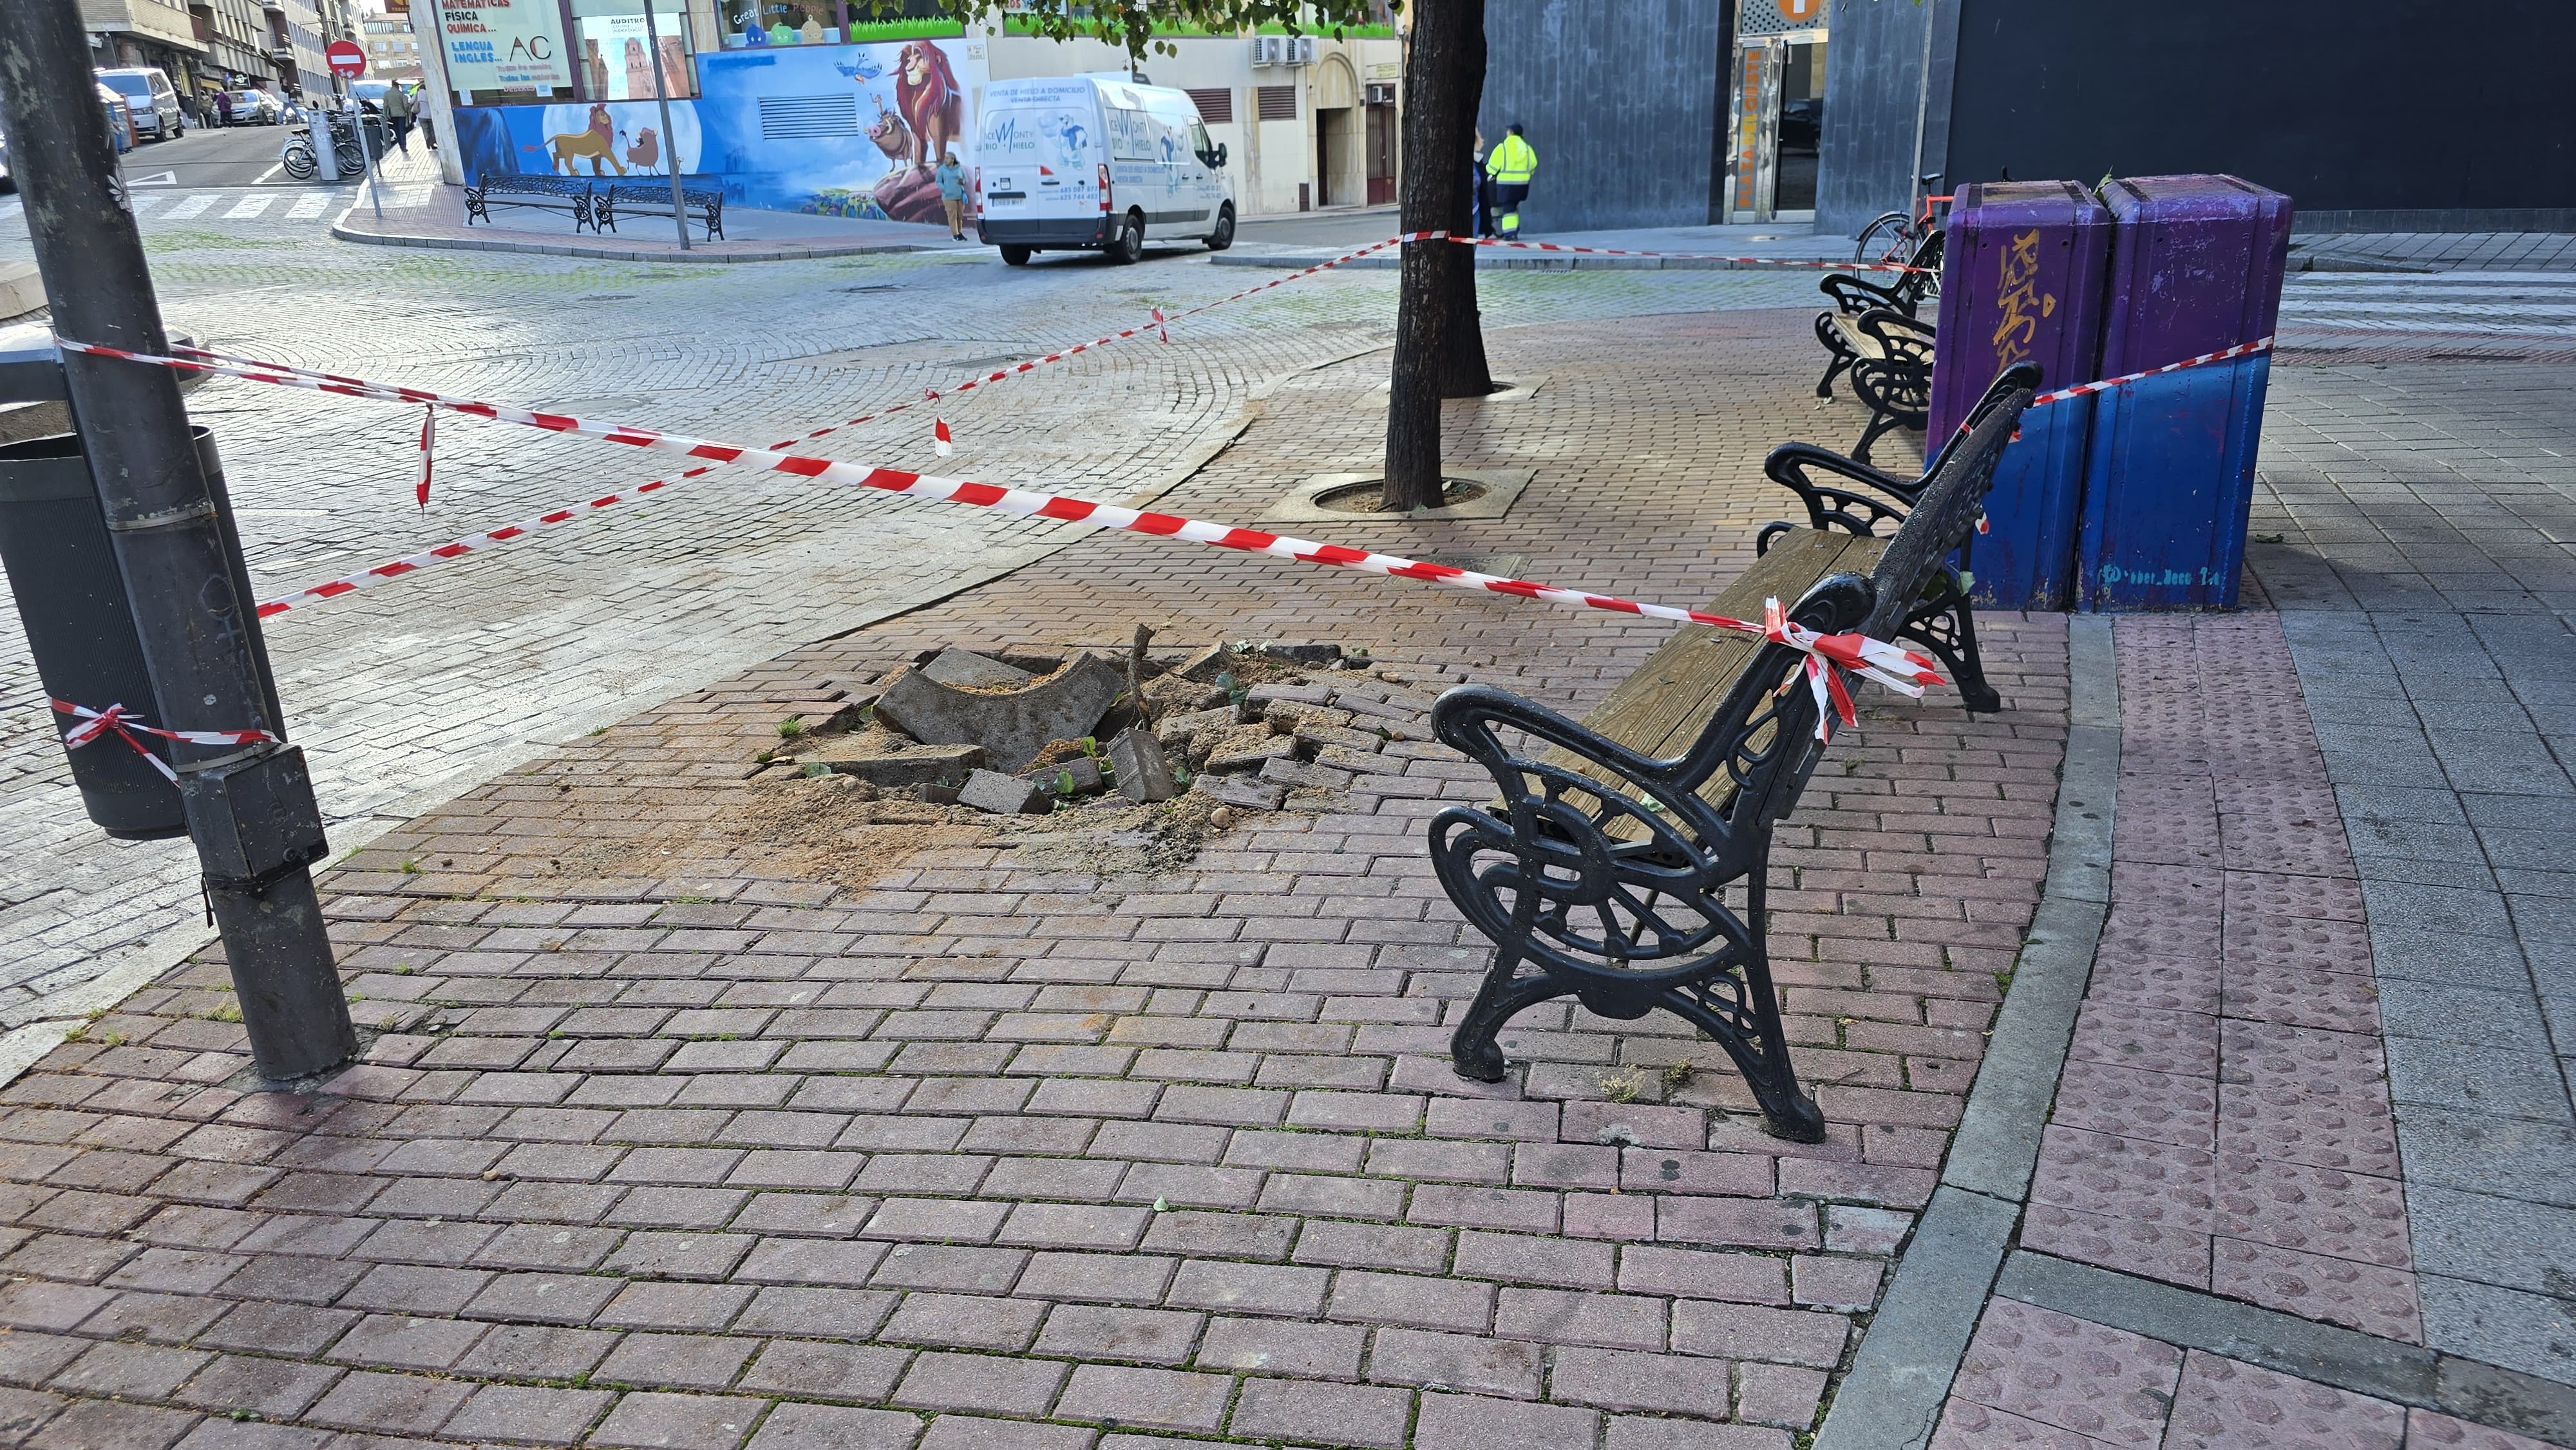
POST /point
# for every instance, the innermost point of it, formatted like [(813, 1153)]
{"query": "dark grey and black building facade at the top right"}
[(1676, 112)]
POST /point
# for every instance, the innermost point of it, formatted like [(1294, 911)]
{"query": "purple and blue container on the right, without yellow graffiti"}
[(2196, 267)]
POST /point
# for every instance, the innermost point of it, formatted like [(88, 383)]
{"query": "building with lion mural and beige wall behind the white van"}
[(802, 104)]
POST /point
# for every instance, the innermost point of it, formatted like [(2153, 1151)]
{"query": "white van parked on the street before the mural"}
[(1096, 161)]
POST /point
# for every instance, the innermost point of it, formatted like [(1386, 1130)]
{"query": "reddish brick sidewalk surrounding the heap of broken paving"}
[(996, 1155)]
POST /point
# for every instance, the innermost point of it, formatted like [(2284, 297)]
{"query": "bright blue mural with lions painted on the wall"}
[(826, 130)]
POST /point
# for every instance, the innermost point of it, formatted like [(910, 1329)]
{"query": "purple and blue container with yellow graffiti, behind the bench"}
[(2023, 285)]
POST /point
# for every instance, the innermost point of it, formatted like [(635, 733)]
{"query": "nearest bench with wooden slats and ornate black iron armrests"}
[(1616, 843)]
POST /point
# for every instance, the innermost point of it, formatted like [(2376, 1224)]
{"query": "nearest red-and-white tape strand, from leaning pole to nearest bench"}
[(1877, 661)]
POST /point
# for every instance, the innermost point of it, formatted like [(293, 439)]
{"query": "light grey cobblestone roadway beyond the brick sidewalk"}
[(413, 692)]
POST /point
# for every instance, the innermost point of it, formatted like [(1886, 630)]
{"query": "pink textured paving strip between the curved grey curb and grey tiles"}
[(2235, 1140)]
